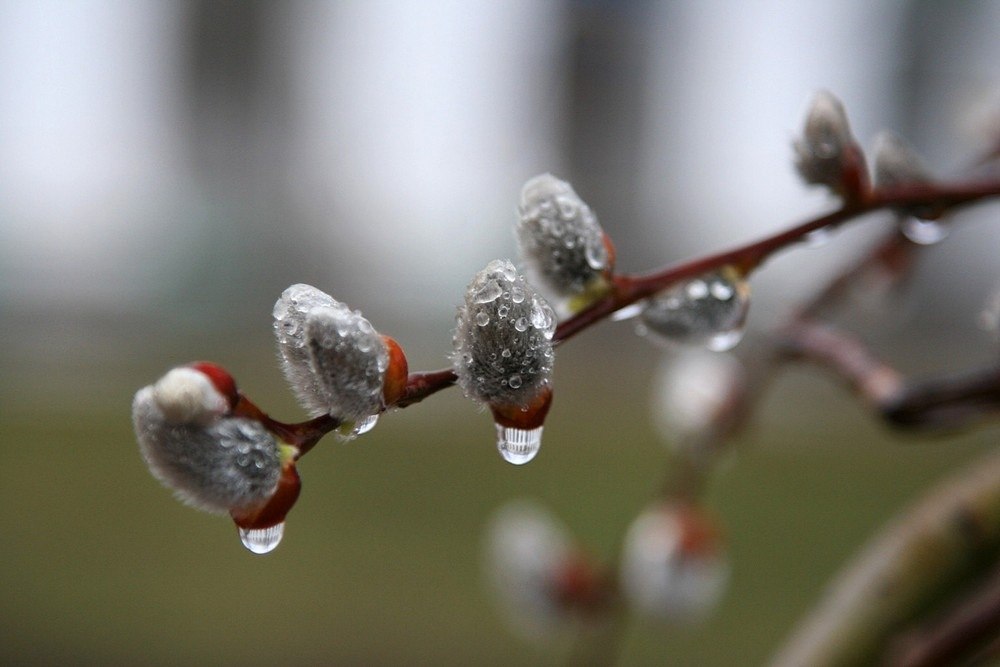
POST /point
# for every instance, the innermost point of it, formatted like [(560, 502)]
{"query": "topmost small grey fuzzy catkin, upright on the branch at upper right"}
[(819, 153)]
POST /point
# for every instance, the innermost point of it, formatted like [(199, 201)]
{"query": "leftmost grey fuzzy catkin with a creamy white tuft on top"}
[(212, 462)]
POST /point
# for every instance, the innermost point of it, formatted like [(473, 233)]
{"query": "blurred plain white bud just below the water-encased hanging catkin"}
[(699, 396)]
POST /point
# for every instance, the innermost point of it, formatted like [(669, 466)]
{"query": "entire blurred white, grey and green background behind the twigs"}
[(168, 168)]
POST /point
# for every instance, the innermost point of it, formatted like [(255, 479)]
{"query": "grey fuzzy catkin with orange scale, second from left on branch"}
[(334, 360)]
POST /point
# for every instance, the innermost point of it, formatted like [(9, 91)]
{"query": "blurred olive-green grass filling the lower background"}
[(380, 563)]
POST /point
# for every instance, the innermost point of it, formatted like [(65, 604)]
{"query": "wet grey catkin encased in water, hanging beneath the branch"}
[(709, 311)]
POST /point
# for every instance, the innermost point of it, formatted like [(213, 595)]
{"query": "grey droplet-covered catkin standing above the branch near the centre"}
[(565, 251)]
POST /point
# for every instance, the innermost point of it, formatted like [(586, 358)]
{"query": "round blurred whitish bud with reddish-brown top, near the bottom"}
[(673, 565)]
